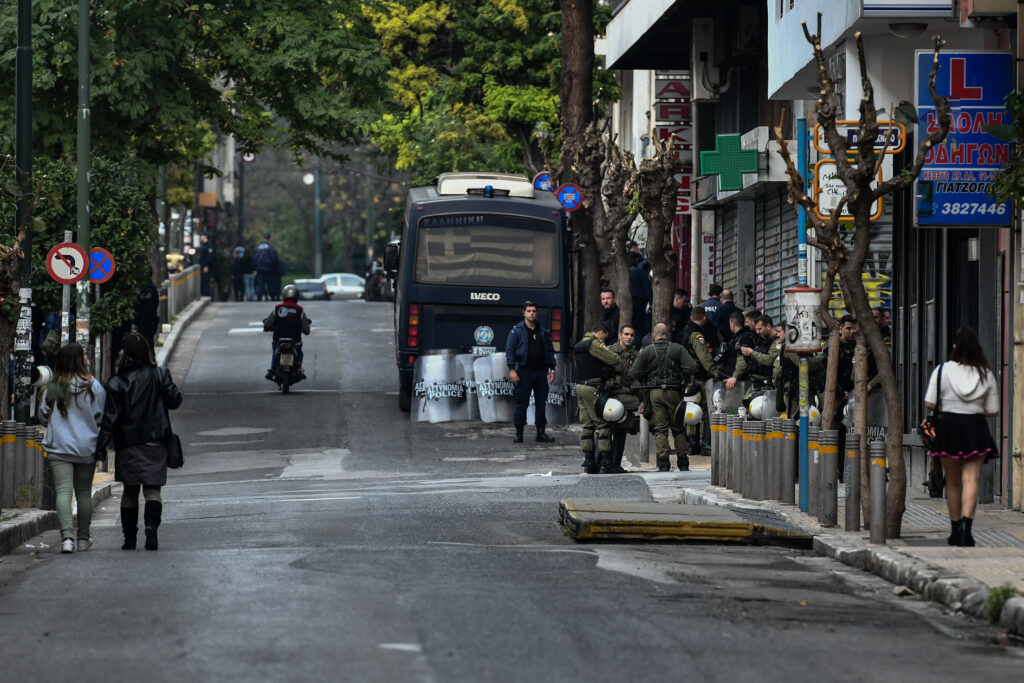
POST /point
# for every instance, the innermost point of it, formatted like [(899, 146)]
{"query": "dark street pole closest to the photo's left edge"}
[(23, 135)]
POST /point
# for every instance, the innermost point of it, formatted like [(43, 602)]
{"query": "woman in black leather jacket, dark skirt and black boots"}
[(136, 417)]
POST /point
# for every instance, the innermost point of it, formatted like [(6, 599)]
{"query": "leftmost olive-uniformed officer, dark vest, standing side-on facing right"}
[(594, 365)]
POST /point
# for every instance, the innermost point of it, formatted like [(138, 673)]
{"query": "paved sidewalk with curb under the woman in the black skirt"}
[(922, 561)]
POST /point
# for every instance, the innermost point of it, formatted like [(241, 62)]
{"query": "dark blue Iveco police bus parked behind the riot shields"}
[(474, 248)]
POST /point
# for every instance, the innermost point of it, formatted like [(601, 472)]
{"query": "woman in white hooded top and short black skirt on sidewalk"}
[(968, 393)]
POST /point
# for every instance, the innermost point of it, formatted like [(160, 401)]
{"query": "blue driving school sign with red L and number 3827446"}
[(954, 186)]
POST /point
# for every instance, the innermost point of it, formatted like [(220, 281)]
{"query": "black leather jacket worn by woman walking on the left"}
[(138, 402)]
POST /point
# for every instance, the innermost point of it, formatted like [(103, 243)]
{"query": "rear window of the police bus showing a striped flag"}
[(525, 255)]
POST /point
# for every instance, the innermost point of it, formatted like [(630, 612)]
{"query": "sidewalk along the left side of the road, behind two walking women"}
[(20, 525)]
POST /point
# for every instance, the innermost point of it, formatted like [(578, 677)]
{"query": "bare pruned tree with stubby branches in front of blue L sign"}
[(847, 262)]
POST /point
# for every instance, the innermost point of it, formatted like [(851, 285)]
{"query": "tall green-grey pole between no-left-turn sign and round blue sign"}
[(82, 211)]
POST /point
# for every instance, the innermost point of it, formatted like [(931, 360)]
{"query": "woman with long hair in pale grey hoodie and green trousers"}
[(72, 405)]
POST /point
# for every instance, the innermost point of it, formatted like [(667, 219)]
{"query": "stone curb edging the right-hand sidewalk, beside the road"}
[(949, 588)]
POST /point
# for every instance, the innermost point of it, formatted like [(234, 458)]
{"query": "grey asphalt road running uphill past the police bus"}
[(321, 536)]
